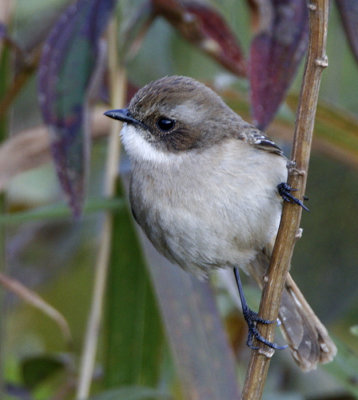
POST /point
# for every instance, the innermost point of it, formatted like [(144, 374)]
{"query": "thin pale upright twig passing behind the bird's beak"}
[(117, 83)]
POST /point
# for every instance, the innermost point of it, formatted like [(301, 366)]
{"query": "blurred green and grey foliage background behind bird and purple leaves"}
[(149, 346)]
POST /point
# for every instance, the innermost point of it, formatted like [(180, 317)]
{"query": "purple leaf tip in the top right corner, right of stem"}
[(348, 10)]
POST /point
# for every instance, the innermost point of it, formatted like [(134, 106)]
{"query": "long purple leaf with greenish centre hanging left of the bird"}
[(67, 65)]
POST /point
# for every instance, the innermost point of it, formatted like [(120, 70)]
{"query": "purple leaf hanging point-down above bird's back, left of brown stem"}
[(275, 55)]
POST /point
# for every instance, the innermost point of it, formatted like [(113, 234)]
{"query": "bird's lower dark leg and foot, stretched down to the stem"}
[(252, 318)]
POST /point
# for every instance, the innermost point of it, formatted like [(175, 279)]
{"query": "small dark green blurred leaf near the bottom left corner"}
[(35, 370)]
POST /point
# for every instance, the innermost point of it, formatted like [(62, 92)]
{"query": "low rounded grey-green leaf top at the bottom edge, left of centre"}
[(131, 393)]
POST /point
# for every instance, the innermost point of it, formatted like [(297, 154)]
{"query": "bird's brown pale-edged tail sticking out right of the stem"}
[(305, 334)]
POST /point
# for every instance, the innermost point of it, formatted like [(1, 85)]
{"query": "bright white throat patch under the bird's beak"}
[(139, 149)]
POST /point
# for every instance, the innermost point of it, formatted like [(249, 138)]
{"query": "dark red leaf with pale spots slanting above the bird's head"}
[(204, 27)]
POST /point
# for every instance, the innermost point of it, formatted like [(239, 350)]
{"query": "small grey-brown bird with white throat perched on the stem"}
[(207, 189)]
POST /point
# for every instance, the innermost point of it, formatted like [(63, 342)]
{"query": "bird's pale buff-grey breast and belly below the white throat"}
[(210, 209)]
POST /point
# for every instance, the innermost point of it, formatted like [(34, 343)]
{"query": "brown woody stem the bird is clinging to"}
[(291, 215)]
